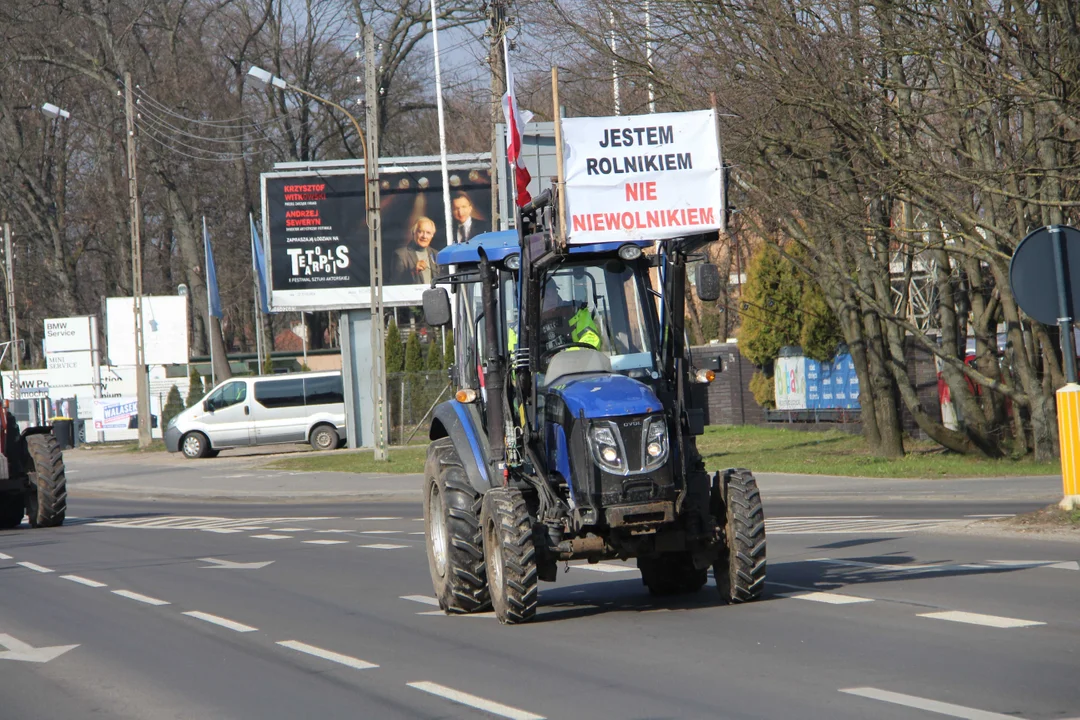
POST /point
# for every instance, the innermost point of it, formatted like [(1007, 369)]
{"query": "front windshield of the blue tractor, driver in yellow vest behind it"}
[(600, 306)]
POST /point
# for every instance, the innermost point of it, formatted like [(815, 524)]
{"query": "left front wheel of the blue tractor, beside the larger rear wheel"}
[(511, 556)]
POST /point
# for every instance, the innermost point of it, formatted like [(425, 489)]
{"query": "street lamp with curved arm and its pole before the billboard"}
[(370, 147)]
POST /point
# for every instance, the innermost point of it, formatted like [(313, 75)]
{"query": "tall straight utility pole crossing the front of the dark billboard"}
[(375, 244)]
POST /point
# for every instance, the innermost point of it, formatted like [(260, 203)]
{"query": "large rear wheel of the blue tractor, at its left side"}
[(452, 511)]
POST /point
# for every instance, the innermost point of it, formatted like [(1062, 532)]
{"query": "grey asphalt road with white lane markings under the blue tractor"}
[(871, 613)]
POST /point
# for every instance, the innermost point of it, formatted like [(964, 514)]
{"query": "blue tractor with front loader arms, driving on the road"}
[(573, 431)]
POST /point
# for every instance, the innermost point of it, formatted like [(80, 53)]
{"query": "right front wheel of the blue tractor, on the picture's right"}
[(740, 567)]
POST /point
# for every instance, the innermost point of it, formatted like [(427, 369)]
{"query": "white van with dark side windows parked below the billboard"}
[(300, 407)]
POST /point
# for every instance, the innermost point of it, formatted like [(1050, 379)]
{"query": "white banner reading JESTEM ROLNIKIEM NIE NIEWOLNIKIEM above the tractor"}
[(643, 178)]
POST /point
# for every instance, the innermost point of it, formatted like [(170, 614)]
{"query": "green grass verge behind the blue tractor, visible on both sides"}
[(762, 450)]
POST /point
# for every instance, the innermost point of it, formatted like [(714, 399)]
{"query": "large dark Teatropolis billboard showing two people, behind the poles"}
[(317, 241)]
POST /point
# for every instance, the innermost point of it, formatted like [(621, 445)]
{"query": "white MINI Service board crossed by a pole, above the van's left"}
[(165, 331)]
